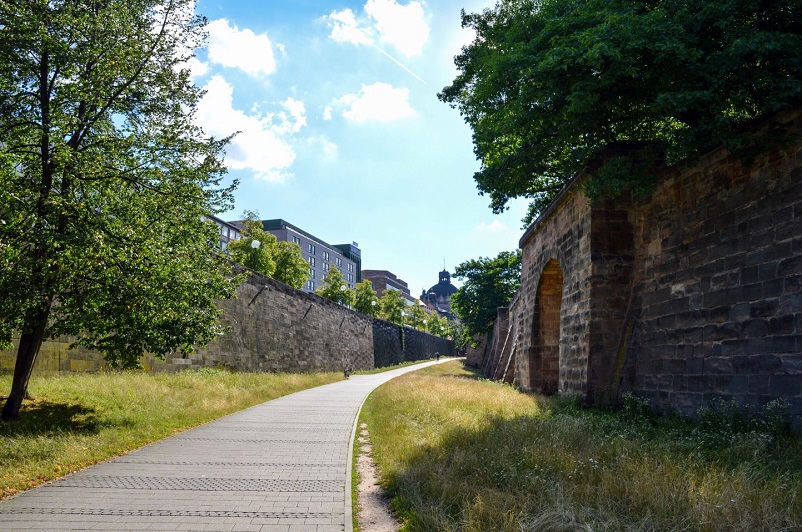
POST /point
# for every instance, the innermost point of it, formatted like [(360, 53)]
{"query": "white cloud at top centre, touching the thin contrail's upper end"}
[(404, 27)]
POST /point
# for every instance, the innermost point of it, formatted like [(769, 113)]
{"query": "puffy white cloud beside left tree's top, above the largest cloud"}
[(230, 47)]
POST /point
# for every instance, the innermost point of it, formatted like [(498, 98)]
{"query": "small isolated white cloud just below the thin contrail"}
[(379, 102)]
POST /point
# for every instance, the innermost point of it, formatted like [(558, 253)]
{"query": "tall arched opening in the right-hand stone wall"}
[(544, 361)]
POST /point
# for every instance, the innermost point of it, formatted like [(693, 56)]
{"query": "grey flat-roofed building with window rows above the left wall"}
[(321, 256)]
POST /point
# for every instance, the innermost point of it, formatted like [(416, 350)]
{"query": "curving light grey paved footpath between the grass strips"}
[(284, 465)]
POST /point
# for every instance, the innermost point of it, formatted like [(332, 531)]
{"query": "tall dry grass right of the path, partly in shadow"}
[(459, 453)]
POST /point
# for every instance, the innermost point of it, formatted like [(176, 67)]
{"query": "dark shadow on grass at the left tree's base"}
[(42, 417)]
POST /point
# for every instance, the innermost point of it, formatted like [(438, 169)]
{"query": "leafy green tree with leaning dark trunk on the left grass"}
[(105, 182)]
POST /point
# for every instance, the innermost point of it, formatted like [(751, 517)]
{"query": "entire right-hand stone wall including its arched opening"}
[(690, 294)]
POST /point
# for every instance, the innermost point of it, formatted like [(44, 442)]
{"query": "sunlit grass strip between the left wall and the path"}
[(76, 420)]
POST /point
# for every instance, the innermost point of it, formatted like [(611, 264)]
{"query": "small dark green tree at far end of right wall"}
[(488, 285)]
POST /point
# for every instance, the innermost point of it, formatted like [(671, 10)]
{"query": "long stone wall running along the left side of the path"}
[(272, 327)]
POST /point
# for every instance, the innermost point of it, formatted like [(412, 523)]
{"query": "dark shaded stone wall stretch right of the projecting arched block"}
[(718, 277)]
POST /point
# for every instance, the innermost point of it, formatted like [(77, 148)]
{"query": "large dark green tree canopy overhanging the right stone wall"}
[(549, 86)]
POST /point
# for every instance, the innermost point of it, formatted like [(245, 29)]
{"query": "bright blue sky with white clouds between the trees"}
[(340, 130)]
